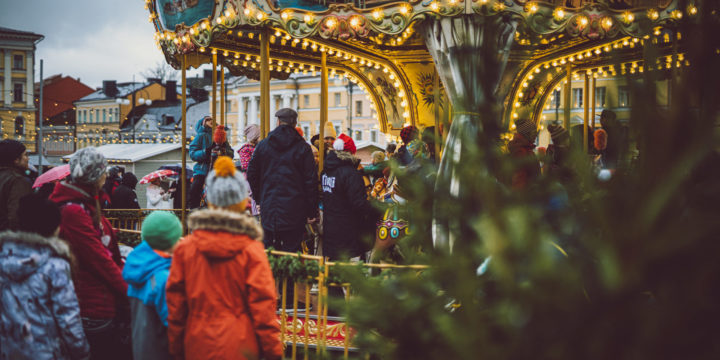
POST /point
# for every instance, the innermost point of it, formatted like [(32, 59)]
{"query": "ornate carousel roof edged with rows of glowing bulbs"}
[(383, 46)]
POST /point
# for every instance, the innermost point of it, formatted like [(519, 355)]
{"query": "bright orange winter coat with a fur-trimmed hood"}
[(221, 294)]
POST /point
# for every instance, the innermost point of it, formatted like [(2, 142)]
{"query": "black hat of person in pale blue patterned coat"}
[(38, 215)]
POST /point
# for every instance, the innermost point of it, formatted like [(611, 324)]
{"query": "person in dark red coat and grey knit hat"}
[(100, 287)]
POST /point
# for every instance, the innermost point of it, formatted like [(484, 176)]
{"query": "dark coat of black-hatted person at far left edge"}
[(13, 186)]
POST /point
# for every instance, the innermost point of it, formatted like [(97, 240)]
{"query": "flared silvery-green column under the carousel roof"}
[(470, 55)]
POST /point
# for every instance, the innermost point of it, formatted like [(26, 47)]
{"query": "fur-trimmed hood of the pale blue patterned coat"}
[(23, 253)]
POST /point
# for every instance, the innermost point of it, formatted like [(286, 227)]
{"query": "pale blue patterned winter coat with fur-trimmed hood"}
[(40, 312)]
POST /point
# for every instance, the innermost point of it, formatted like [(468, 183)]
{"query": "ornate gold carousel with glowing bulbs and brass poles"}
[(439, 63)]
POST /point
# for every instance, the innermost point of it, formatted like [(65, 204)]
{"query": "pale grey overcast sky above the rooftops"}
[(93, 40)]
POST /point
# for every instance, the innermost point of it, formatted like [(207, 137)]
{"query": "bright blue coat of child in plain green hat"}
[(146, 273)]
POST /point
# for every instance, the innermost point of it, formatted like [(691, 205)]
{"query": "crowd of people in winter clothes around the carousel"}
[(68, 293)]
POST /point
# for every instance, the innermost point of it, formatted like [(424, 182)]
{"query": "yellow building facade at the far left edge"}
[(17, 74)]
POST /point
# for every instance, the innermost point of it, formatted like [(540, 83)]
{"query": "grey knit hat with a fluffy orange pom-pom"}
[(224, 186)]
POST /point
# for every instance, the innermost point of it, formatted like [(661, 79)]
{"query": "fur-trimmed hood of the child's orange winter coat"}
[(221, 233)]
